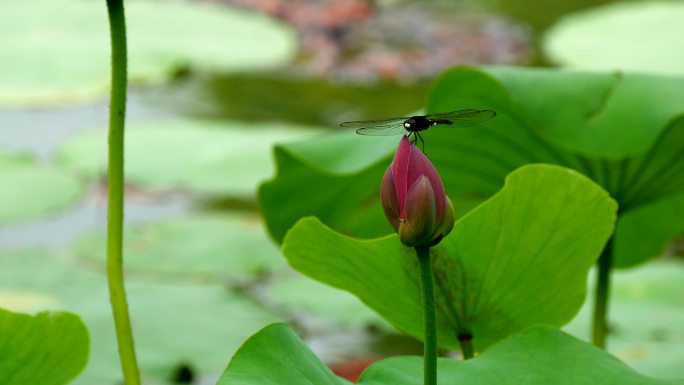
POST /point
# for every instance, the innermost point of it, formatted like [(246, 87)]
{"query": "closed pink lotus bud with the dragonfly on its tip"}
[(413, 198)]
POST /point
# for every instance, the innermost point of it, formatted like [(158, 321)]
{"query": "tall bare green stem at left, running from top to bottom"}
[(115, 204)]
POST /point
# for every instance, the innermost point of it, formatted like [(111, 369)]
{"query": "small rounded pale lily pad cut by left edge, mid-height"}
[(30, 189)]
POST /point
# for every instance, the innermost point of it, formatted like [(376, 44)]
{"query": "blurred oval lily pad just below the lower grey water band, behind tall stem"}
[(202, 246)]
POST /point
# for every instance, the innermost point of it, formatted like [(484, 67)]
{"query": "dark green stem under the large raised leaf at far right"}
[(600, 321)]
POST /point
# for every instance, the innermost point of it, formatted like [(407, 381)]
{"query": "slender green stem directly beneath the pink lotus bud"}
[(429, 319)]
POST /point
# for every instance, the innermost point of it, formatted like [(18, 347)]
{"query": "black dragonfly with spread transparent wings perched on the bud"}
[(413, 125)]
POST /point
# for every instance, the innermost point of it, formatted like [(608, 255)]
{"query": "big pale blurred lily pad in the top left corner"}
[(56, 60)]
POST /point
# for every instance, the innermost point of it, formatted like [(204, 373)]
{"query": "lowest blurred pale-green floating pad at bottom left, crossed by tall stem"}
[(174, 323)]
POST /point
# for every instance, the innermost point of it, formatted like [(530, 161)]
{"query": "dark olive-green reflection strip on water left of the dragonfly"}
[(281, 97)]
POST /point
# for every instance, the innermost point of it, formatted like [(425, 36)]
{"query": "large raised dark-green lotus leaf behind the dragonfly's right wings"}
[(519, 134)]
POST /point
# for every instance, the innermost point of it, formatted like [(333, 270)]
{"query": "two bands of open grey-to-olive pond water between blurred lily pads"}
[(248, 98)]
